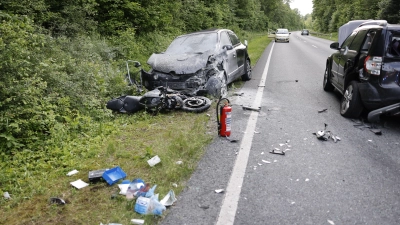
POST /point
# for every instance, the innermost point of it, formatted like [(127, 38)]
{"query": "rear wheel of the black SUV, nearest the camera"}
[(350, 105)]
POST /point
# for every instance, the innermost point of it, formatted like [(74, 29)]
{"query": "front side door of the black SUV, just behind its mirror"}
[(336, 70)]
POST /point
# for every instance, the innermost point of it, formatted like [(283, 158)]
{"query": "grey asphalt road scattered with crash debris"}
[(353, 181)]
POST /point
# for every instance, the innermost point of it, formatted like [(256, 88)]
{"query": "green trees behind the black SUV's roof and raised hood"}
[(329, 15)]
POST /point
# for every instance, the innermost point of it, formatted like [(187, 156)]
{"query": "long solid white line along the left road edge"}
[(231, 200)]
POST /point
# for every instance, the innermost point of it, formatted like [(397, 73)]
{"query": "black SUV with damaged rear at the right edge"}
[(366, 70)]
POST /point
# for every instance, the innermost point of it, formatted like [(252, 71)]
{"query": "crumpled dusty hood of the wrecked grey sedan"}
[(179, 63)]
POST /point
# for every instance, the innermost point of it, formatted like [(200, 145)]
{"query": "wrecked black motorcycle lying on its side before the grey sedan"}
[(160, 99)]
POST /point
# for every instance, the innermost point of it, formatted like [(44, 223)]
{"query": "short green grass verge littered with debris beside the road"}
[(127, 141)]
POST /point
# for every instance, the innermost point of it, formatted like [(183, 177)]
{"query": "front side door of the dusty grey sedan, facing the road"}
[(230, 62)]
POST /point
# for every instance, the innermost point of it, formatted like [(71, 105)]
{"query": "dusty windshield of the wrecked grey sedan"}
[(196, 43)]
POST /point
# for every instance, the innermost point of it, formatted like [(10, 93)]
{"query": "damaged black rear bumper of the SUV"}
[(375, 96)]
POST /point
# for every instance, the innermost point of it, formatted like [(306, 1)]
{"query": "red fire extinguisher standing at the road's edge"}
[(224, 119)]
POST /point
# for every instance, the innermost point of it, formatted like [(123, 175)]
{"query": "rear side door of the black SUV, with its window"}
[(348, 57)]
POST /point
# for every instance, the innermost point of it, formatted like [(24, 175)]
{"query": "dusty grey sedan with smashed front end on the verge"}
[(200, 63)]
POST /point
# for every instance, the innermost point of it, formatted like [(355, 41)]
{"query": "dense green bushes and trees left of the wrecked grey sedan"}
[(62, 60)]
